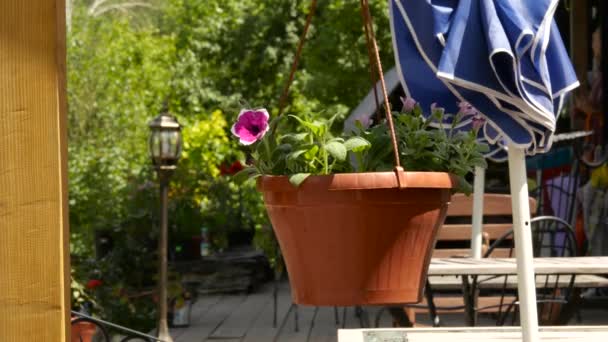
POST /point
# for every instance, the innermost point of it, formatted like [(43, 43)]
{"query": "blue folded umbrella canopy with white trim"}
[(504, 57)]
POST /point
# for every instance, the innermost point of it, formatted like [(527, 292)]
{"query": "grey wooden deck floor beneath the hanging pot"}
[(249, 318)]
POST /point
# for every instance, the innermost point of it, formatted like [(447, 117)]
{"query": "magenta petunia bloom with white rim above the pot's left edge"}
[(251, 125)]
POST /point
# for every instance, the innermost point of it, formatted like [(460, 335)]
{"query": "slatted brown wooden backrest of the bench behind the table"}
[(454, 237)]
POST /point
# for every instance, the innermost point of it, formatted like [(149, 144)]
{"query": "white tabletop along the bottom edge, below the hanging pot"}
[(503, 334)]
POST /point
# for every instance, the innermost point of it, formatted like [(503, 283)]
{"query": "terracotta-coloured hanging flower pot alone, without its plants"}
[(358, 238)]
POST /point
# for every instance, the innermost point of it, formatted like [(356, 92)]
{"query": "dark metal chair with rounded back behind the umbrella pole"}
[(551, 237)]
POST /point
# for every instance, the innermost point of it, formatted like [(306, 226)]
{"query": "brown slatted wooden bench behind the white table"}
[(453, 240)]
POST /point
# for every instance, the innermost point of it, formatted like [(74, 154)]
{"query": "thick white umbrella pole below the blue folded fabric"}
[(523, 244)]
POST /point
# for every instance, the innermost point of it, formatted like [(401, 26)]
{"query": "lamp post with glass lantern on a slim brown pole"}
[(165, 147)]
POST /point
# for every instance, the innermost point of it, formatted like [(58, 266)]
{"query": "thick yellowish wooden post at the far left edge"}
[(34, 250)]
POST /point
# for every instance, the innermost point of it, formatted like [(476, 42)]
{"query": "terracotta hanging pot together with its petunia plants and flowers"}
[(353, 226)]
